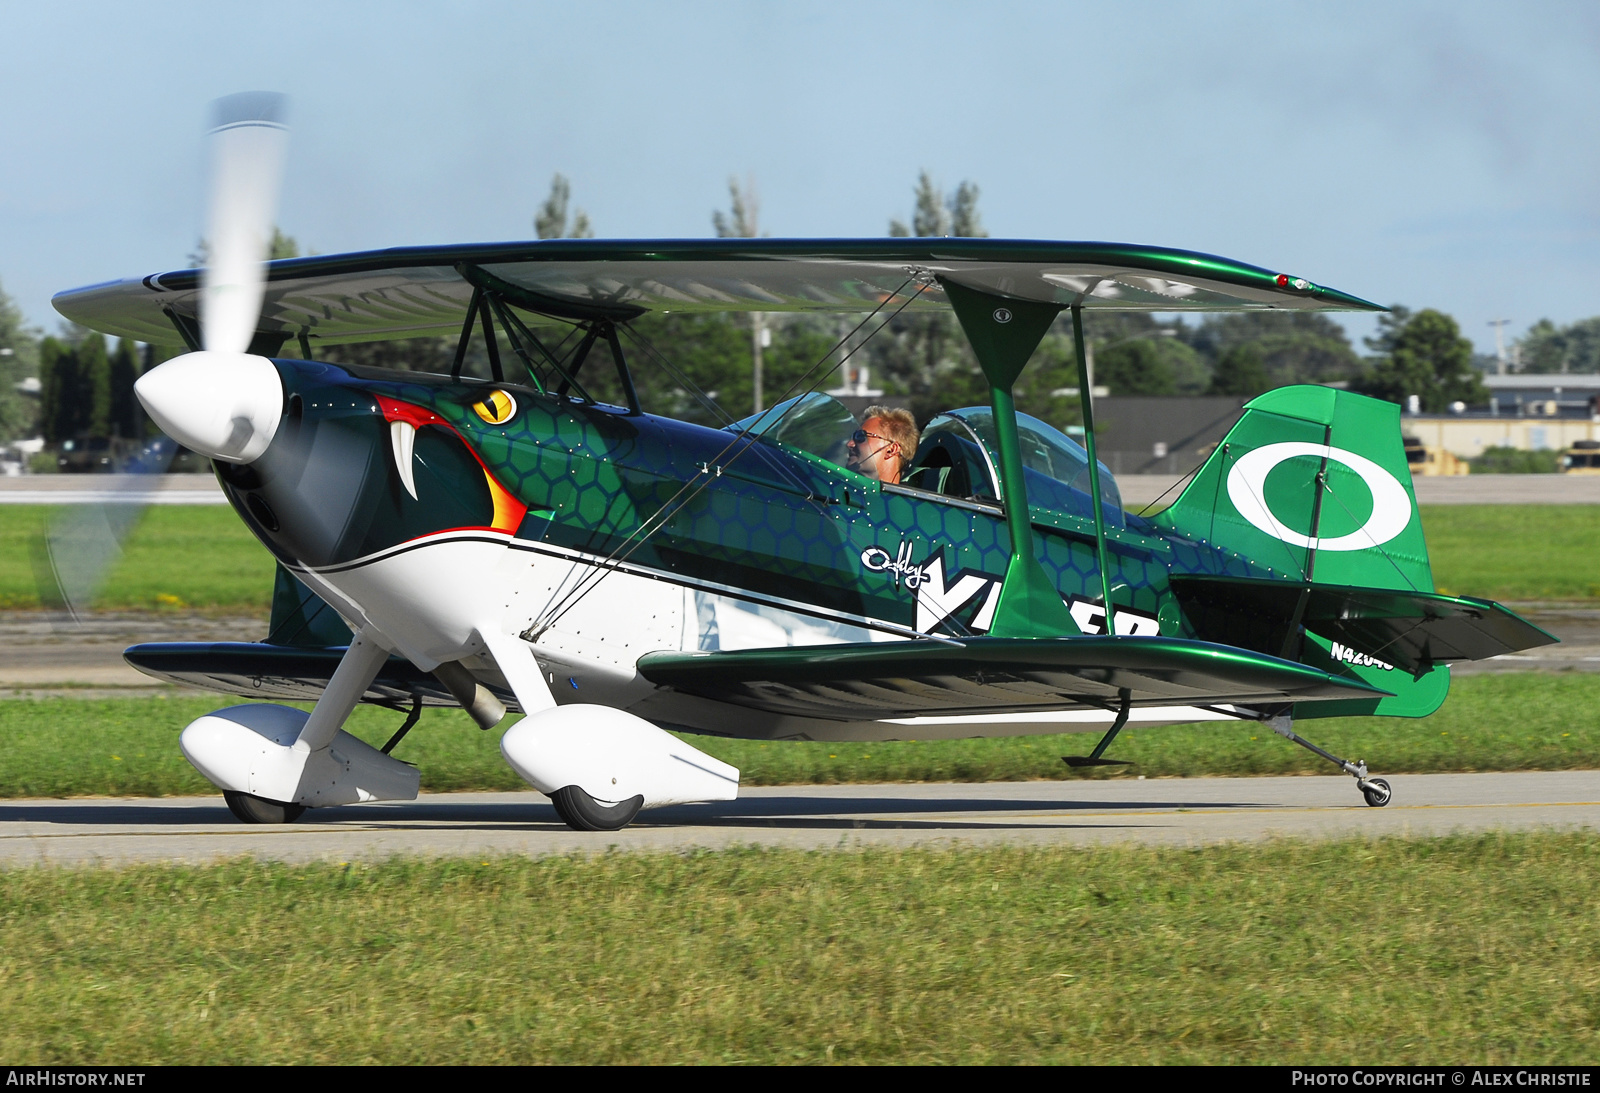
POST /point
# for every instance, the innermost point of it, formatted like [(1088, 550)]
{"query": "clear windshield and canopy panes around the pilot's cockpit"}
[(959, 454)]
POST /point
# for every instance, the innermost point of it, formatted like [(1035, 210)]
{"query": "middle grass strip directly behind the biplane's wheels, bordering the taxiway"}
[(71, 748)]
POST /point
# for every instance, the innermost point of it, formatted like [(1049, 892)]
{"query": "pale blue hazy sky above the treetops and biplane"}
[(1433, 154)]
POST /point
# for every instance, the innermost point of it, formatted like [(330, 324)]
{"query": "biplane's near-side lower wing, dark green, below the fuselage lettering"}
[(991, 676)]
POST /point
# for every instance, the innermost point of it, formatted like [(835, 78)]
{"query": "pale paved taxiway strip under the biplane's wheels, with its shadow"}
[(1185, 812)]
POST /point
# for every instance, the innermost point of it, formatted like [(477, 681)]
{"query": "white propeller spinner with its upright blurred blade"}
[(223, 402)]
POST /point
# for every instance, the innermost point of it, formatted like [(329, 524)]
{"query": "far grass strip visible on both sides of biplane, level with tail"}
[(202, 558)]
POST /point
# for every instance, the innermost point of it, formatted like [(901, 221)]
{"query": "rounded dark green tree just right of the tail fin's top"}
[(1426, 358)]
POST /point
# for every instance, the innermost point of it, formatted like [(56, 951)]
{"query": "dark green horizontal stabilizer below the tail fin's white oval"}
[(1412, 631)]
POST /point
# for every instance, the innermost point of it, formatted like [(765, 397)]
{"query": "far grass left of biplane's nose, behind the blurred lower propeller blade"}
[(177, 558)]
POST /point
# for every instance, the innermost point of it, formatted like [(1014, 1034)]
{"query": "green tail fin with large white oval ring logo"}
[(1314, 484)]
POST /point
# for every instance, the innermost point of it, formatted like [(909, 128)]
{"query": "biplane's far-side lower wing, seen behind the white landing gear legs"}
[(286, 673)]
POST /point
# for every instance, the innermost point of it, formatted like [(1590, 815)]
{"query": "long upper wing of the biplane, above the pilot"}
[(426, 290)]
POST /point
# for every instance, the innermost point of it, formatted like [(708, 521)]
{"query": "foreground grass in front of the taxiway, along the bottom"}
[(1473, 950)]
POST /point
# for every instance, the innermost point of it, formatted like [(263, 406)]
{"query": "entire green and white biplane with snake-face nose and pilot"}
[(514, 543)]
